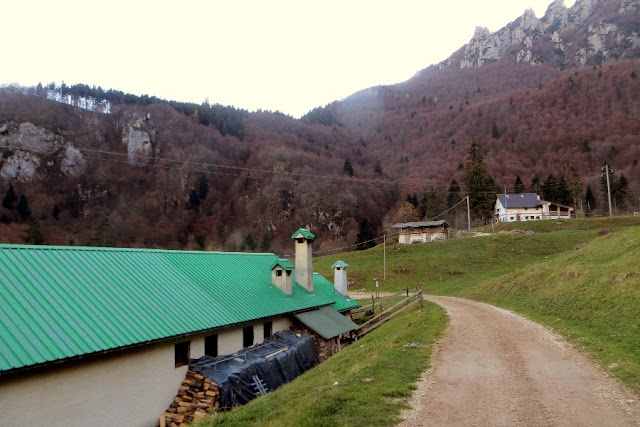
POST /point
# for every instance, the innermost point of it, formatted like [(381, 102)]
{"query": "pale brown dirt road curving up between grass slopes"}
[(495, 368)]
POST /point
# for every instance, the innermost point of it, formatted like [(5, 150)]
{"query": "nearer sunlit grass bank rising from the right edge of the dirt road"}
[(591, 295)]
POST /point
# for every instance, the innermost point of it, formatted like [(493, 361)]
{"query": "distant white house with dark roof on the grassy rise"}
[(528, 207)]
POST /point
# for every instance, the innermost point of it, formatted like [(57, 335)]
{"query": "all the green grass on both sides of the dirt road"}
[(580, 277)]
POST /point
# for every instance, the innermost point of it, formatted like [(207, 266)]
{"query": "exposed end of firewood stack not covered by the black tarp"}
[(197, 397)]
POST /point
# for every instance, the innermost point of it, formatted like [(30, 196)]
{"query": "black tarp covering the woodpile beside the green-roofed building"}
[(277, 361)]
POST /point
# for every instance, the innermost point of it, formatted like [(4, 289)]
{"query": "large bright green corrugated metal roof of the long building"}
[(63, 302)]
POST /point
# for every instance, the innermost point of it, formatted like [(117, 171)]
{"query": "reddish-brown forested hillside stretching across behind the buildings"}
[(160, 173)]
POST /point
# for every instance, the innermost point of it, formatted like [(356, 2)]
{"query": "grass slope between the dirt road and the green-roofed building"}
[(313, 400)]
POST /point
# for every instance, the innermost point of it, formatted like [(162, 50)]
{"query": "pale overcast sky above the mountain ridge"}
[(291, 55)]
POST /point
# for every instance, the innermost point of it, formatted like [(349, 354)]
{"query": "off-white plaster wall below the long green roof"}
[(125, 388)]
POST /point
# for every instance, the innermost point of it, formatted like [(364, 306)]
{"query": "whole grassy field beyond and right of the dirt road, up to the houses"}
[(580, 277)]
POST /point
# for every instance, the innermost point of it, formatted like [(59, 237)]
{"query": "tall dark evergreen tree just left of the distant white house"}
[(480, 185)]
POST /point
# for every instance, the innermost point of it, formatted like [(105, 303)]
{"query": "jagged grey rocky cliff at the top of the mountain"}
[(589, 33)]
